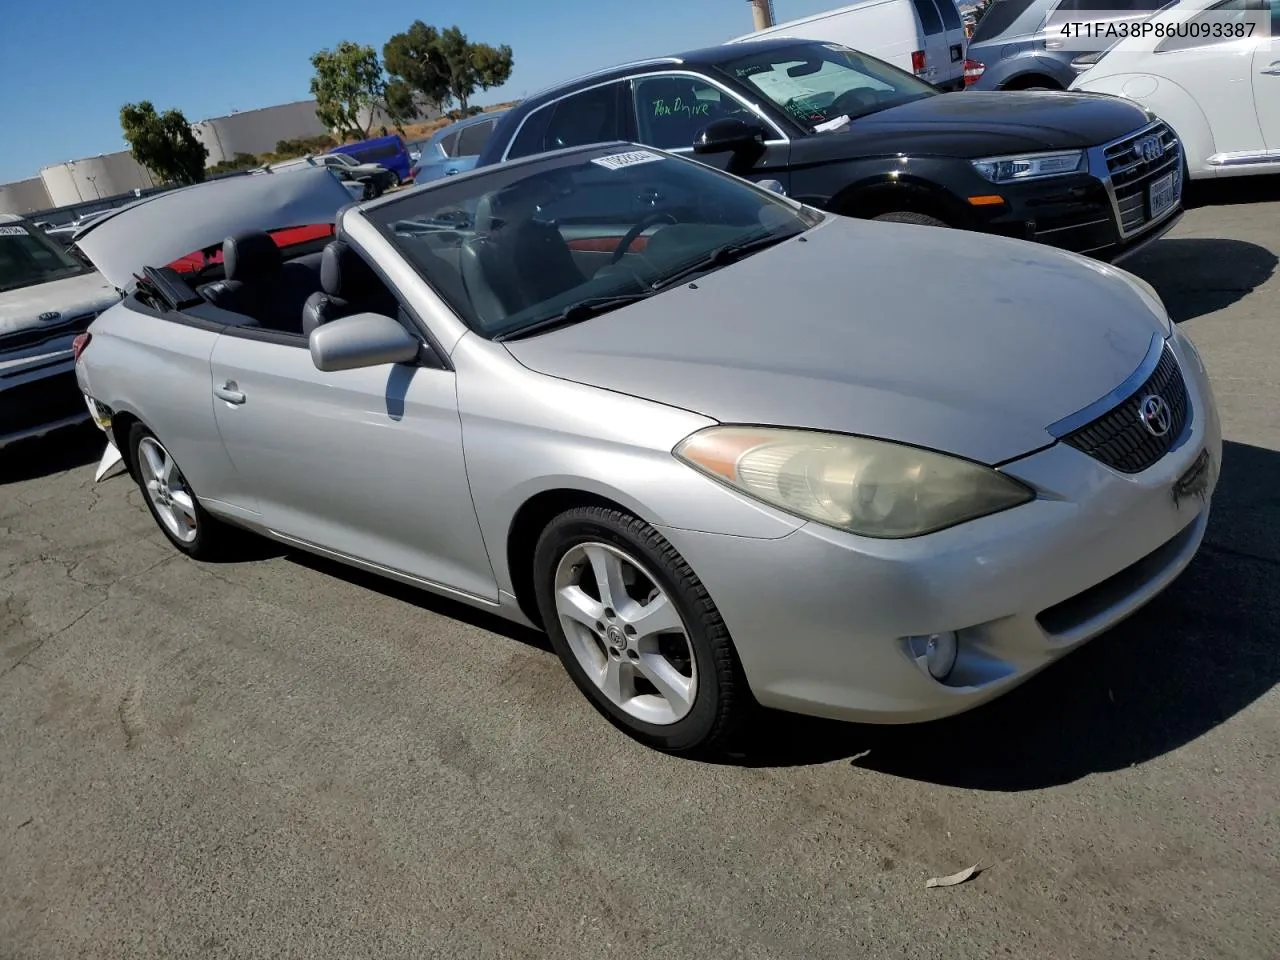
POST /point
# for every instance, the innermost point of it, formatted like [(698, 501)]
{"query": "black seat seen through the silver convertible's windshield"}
[(515, 260)]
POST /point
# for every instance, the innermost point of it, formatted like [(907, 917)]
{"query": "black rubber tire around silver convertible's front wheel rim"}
[(721, 702)]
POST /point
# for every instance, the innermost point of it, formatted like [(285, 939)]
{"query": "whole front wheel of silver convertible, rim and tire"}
[(638, 632)]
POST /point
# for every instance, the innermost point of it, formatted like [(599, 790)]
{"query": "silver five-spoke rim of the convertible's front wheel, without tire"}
[(627, 634)]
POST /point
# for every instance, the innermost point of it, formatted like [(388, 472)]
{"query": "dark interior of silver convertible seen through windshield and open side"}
[(536, 246)]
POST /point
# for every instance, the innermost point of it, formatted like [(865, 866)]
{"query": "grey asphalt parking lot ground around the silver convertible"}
[(285, 758)]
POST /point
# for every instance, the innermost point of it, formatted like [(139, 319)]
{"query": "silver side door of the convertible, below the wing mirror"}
[(359, 464)]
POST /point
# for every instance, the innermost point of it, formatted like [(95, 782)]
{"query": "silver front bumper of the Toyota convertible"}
[(819, 616)]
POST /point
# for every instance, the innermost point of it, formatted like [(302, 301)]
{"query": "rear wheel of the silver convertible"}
[(171, 500)]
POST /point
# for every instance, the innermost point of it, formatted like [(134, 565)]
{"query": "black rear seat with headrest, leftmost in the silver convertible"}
[(262, 285)]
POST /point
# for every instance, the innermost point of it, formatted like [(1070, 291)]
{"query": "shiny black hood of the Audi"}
[(980, 124)]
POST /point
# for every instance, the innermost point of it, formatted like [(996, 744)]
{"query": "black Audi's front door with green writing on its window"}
[(671, 108)]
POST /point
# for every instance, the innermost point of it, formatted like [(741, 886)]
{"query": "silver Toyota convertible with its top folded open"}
[(724, 449)]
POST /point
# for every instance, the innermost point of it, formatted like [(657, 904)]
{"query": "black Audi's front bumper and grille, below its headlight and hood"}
[(1105, 213)]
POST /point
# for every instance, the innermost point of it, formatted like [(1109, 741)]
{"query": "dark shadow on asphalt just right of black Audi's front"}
[(1201, 276)]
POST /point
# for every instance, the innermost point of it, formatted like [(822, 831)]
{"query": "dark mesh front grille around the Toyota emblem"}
[(1121, 440)]
